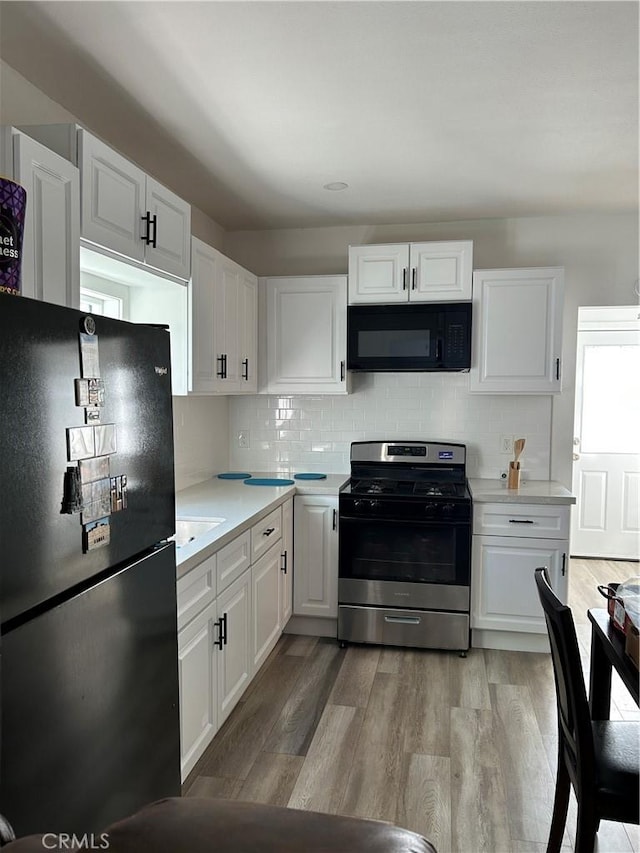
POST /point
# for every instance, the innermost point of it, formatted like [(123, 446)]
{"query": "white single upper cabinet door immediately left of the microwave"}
[(306, 335)]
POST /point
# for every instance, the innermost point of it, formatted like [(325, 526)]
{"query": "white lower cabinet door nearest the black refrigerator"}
[(197, 667)]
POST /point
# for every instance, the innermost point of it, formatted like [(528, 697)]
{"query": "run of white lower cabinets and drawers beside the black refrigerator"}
[(232, 608)]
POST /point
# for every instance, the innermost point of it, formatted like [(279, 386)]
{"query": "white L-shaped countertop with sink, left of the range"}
[(240, 506)]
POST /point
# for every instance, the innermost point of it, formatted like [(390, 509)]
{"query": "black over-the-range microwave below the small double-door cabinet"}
[(418, 336)]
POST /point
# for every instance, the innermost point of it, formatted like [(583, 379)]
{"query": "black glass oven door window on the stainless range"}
[(404, 551)]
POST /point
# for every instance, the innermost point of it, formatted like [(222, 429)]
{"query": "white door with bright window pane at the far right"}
[(606, 467)]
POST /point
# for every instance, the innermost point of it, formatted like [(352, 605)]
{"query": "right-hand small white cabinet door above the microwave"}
[(441, 272)]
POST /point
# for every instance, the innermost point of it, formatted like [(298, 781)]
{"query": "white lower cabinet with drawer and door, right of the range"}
[(505, 608)]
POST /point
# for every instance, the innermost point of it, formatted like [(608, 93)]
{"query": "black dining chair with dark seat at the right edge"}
[(599, 758)]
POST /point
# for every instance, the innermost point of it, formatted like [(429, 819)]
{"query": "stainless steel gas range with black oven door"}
[(405, 546)]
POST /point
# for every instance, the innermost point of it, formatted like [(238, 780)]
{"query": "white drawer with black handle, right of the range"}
[(515, 519)]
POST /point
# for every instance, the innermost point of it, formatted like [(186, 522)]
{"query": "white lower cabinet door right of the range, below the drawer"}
[(503, 591)]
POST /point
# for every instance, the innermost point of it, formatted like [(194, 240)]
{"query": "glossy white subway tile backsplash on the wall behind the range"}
[(316, 432)]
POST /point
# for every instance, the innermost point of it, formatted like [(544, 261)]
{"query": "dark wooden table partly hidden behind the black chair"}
[(607, 652)]
